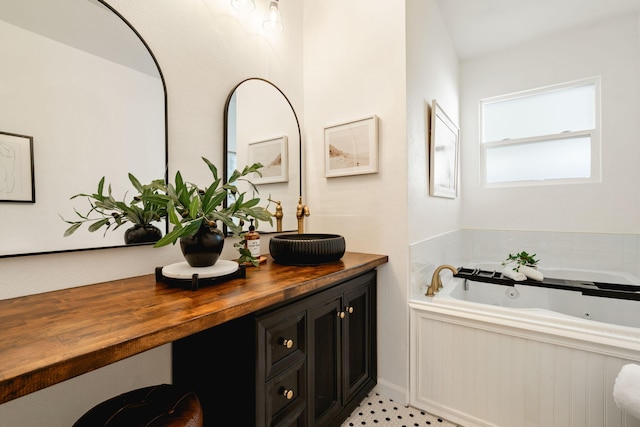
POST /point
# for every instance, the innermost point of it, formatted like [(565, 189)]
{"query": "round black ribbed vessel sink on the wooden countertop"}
[(306, 248)]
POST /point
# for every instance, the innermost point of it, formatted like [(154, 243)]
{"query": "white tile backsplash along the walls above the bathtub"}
[(592, 251)]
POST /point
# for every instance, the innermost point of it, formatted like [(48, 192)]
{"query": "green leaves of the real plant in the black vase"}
[(188, 205)]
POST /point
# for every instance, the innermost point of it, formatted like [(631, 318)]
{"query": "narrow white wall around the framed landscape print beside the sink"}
[(353, 68)]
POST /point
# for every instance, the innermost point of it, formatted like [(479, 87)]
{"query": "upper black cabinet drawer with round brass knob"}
[(283, 338)]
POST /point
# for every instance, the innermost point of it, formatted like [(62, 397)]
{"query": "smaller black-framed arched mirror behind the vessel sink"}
[(262, 126)]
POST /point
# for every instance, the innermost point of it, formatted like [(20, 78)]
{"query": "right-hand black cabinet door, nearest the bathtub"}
[(357, 339)]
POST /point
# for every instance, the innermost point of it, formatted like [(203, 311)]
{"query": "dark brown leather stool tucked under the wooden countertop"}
[(156, 406)]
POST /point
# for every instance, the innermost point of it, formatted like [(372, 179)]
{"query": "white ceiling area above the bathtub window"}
[(479, 27)]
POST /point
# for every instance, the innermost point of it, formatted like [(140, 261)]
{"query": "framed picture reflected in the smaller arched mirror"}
[(272, 153)]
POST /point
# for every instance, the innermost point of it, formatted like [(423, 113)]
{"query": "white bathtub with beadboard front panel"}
[(484, 354)]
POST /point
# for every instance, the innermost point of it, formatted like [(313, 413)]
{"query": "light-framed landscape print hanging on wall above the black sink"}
[(351, 148)]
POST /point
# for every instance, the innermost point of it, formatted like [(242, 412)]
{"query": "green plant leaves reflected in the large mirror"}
[(108, 212)]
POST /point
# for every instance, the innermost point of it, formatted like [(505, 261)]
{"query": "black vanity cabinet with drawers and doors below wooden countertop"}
[(308, 362)]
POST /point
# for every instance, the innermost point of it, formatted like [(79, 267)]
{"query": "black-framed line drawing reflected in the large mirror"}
[(16, 168)]
